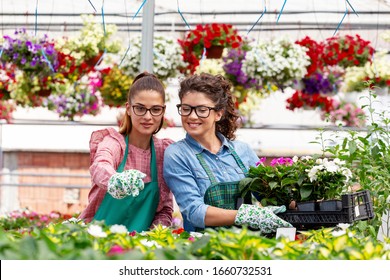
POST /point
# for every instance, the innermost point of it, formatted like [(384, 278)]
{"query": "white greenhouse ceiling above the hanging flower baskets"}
[(256, 18)]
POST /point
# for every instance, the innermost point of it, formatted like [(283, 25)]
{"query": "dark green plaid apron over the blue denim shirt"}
[(225, 195)]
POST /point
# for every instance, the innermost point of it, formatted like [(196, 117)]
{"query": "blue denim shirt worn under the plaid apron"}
[(188, 180)]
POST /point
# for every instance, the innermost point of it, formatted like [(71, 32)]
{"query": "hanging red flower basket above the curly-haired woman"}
[(210, 37)]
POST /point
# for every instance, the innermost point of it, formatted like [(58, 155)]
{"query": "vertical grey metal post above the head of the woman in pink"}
[(147, 37)]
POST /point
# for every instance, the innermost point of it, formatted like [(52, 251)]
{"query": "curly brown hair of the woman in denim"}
[(217, 89)]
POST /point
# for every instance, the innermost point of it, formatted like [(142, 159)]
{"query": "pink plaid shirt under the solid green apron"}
[(107, 148)]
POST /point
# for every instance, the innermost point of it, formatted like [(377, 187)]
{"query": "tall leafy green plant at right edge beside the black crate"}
[(367, 154)]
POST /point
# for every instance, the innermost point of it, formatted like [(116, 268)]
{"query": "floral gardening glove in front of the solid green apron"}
[(129, 182)]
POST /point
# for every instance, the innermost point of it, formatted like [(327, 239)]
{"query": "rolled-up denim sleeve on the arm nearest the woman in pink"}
[(182, 181)]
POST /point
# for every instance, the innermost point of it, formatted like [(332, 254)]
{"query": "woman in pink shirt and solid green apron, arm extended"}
[(127, 166)]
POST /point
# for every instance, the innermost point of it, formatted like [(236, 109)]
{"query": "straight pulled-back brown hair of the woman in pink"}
[(144, 81)]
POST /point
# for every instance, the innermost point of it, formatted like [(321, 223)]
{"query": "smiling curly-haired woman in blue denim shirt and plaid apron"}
[(203, 169)]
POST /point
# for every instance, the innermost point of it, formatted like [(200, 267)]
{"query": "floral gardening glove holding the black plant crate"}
[(260, 218)]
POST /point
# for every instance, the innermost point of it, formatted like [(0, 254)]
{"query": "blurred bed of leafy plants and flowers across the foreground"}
[(72, 239)]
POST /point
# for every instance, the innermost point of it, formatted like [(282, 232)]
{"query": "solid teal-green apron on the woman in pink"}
[(136, 213)]
